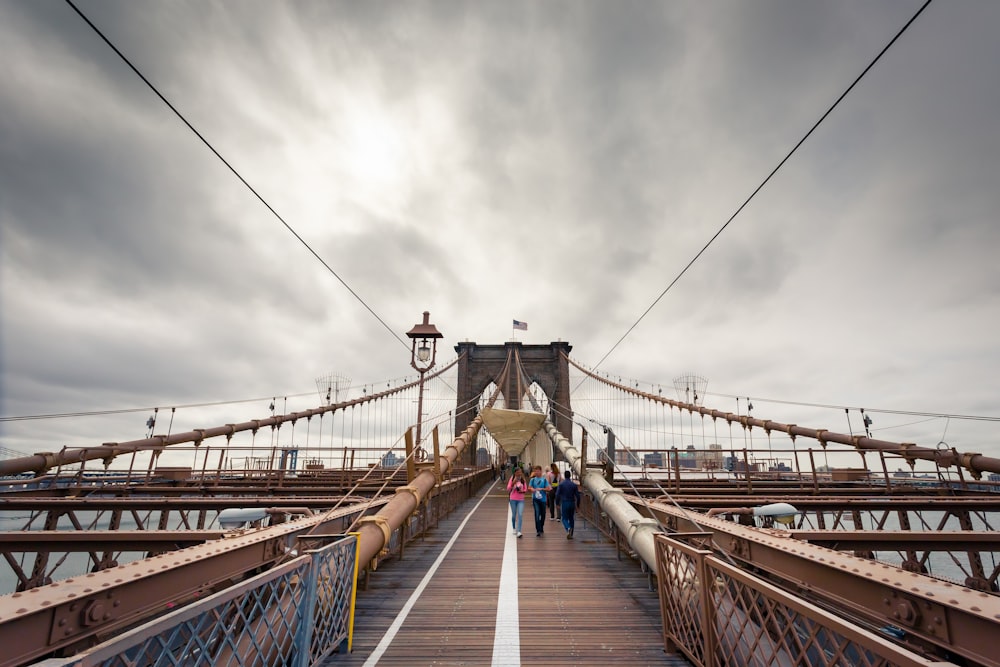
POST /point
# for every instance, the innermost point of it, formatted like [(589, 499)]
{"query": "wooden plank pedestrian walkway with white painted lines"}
[(574, 602)]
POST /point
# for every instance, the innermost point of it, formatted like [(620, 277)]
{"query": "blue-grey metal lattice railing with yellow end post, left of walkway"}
[(293, 615)]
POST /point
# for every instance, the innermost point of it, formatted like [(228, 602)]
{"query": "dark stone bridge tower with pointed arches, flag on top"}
[(479, 365)]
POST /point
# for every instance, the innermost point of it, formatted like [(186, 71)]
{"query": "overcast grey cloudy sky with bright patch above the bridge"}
[(552, 162)]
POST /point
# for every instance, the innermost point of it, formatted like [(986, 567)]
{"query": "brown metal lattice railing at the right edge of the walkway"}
[(718, 614)]
